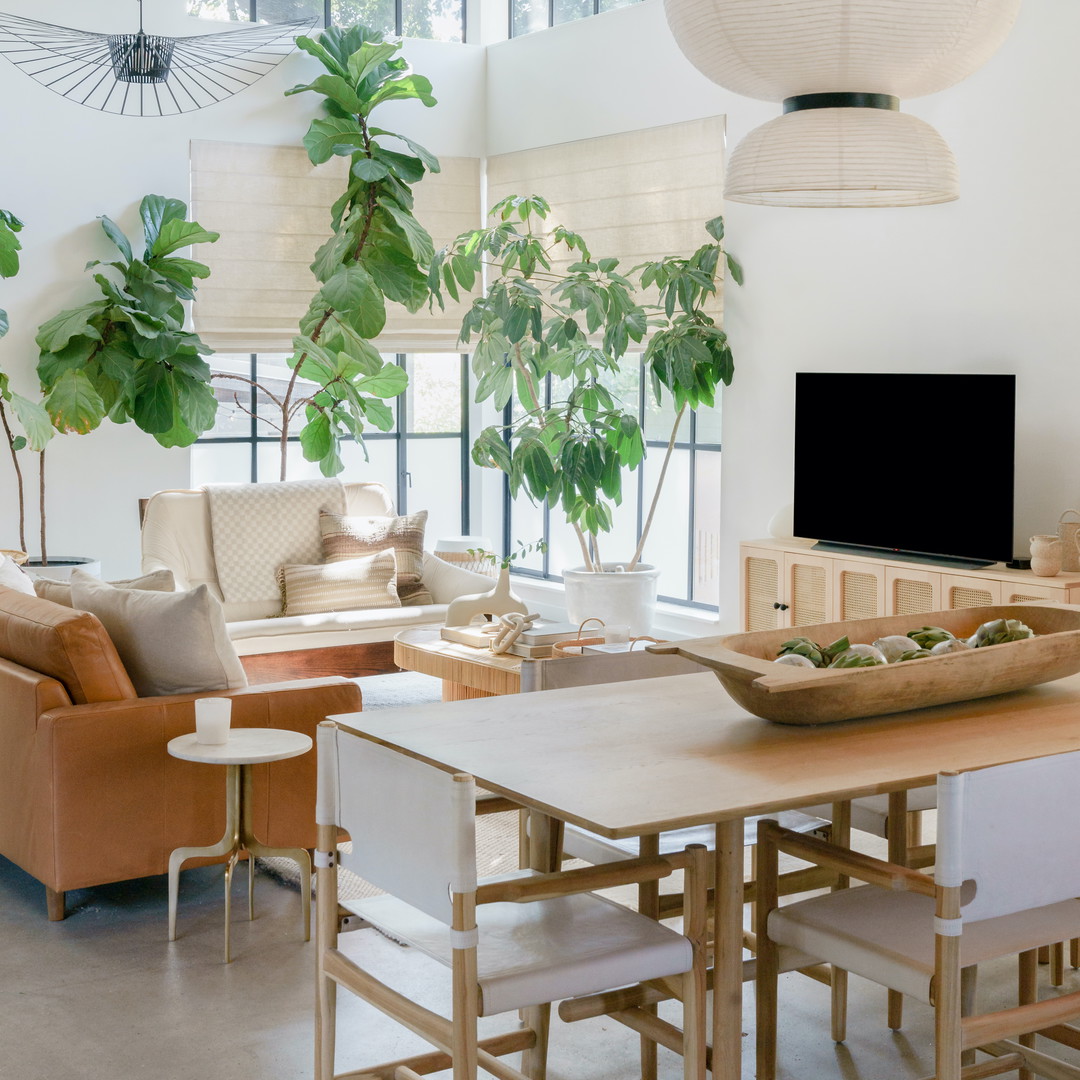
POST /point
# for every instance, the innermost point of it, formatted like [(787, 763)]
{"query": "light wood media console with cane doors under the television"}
[(787, 584)]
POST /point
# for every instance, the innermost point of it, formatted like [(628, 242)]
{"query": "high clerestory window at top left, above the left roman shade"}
[(438, 20)]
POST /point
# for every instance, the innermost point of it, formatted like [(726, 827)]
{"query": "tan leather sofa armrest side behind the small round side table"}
[(116, 803)]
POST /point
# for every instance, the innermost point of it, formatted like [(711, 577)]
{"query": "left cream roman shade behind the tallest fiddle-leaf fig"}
[(273, 208)]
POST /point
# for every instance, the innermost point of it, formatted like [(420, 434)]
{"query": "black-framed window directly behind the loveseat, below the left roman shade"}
[(423, 462)]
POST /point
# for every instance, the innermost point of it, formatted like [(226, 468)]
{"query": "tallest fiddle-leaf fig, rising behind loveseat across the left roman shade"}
[(379, 251)]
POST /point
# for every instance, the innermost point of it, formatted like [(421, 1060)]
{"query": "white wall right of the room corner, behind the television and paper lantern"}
[(984, 285)]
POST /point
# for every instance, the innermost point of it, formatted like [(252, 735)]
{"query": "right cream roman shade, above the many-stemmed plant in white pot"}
[(636, 197)]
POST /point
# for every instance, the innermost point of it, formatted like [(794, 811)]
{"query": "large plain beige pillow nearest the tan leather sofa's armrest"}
[(170, 643)]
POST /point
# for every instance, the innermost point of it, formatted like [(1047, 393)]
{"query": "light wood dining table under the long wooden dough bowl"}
[(638, 759)]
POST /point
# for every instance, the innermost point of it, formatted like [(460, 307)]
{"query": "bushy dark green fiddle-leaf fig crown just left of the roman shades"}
[(127, 356)]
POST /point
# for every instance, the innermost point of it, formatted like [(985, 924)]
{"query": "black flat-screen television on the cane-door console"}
[(917, 467)]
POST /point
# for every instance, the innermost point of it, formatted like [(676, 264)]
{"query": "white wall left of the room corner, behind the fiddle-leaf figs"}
[(65, 165)]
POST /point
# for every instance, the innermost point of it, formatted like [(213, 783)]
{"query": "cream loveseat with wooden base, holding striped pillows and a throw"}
[(178, 536)]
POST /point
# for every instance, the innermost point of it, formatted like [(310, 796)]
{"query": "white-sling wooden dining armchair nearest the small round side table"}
[(518, 942)]
